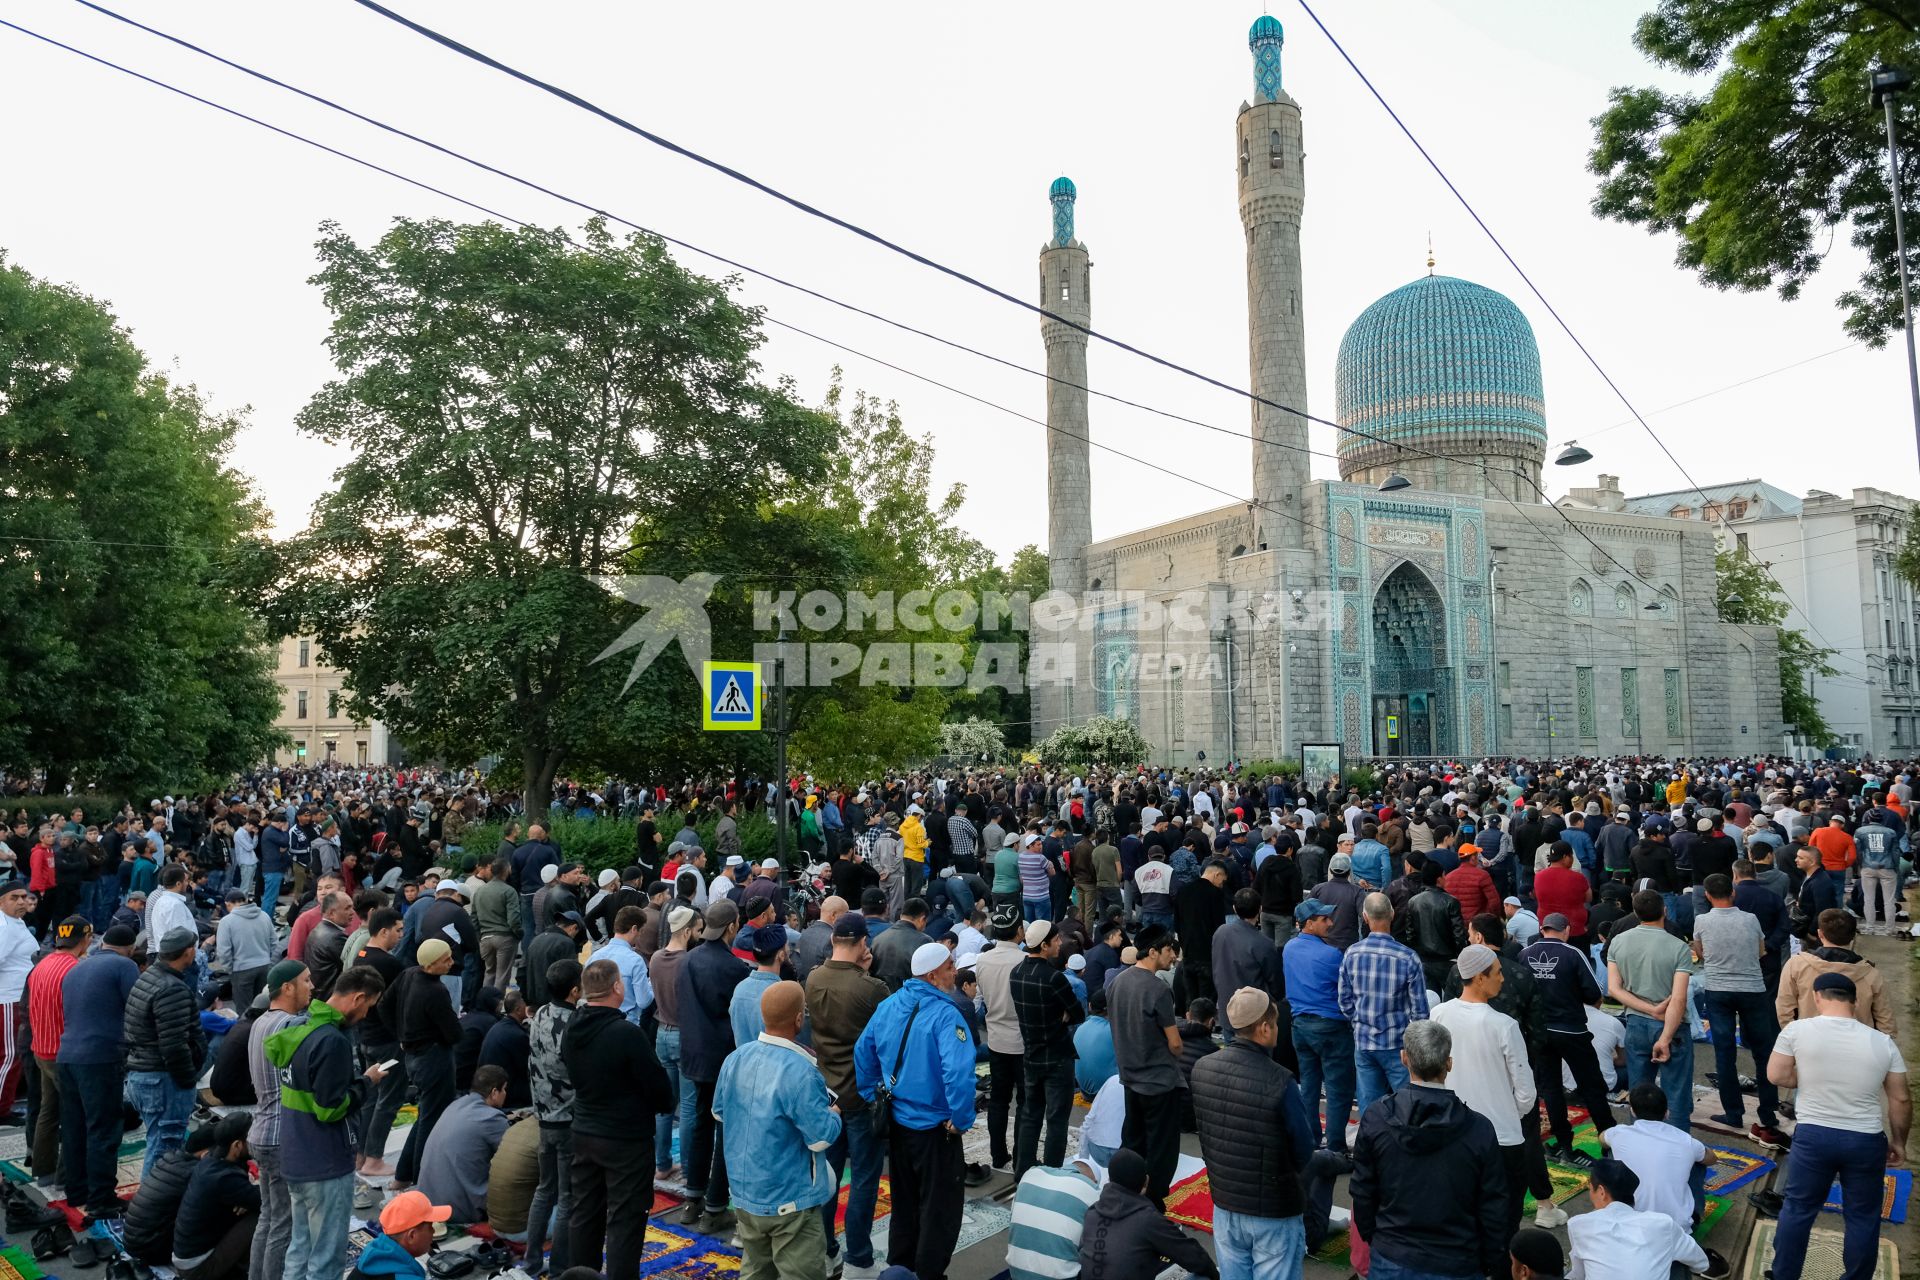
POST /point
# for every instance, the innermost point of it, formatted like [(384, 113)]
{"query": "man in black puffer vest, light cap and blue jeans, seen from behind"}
[(1257, 1145)]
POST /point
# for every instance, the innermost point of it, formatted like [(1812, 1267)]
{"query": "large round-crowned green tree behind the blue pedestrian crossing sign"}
[(529, 414)]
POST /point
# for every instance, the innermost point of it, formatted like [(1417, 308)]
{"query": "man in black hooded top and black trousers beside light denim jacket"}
[(612, 1064)]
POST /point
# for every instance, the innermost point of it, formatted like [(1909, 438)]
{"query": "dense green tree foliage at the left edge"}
[(128, 657)]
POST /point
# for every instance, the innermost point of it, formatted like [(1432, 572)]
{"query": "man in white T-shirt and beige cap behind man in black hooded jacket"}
[(1491, 1072)]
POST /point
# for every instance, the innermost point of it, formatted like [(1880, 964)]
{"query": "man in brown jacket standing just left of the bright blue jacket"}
[(842, 999)]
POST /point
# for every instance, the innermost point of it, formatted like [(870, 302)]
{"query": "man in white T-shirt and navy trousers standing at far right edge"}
[(1844, 1070)]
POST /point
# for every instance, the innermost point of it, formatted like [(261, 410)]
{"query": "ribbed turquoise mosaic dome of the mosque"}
[(1445, 366)]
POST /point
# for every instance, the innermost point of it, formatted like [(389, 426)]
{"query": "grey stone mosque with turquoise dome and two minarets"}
[(1429, 602)]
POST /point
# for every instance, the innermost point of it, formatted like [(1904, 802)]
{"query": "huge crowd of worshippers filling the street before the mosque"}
[(1380, 980)]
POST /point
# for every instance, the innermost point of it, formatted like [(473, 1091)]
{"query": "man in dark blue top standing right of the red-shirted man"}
[(91, 1074)]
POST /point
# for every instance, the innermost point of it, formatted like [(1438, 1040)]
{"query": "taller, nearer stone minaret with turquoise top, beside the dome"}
[(1272, 195)]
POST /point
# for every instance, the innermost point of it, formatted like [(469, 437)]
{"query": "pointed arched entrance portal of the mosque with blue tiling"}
[(1412, 682)]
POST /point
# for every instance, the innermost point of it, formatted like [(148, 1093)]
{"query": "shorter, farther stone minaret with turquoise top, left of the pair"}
[(1068, 483)]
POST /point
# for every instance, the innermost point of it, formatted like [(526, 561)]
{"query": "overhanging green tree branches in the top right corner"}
[(1783, 151)]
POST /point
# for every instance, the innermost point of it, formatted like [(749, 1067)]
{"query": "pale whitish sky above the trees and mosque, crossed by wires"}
[(938, 128)]
